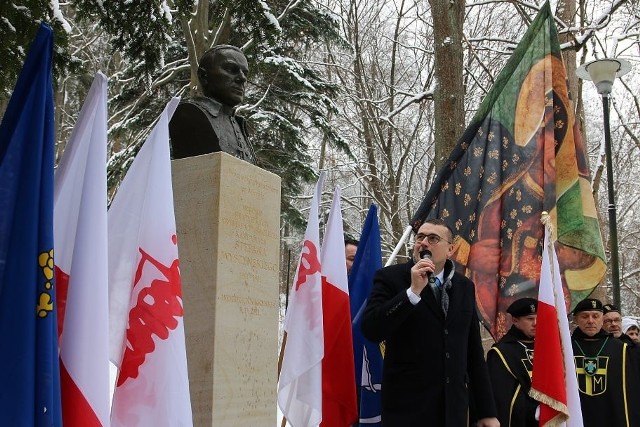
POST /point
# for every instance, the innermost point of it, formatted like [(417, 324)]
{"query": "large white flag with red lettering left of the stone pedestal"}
[(145, 292)]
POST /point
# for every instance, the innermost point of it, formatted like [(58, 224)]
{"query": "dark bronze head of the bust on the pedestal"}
[(222, 73)]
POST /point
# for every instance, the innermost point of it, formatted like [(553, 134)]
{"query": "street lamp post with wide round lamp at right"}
[(603, 73)]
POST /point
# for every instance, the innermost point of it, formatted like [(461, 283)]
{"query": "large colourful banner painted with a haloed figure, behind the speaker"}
[(521, 155)]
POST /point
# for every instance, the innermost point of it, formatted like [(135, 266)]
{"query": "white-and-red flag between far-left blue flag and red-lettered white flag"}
[(80, 242)]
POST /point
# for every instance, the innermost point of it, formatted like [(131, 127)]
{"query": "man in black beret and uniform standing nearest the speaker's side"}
[(510, 363)]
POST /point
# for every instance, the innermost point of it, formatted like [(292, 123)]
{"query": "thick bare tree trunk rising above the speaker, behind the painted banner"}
[(448, 18)]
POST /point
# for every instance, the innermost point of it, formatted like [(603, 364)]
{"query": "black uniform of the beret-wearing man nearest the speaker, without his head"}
[(509, 369)]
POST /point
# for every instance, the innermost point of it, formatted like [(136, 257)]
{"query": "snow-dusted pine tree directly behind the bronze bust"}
[(287, 100)]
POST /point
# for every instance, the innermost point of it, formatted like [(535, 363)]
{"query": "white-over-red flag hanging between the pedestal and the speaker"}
[(339, 399)]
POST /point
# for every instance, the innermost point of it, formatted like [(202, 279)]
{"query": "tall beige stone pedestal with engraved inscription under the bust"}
[(228, 221)]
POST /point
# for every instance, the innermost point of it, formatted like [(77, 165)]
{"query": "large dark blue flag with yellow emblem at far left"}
[(29, 367)]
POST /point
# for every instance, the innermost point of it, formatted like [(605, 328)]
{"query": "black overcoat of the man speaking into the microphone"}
[(432, 364)]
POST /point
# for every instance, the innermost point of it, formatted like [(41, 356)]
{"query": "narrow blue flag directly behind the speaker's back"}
[(367, 354)]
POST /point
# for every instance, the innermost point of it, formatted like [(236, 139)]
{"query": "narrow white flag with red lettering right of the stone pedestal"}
[(300, 382)]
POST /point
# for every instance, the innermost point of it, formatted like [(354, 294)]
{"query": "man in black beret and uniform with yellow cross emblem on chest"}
[(608, 381)]
